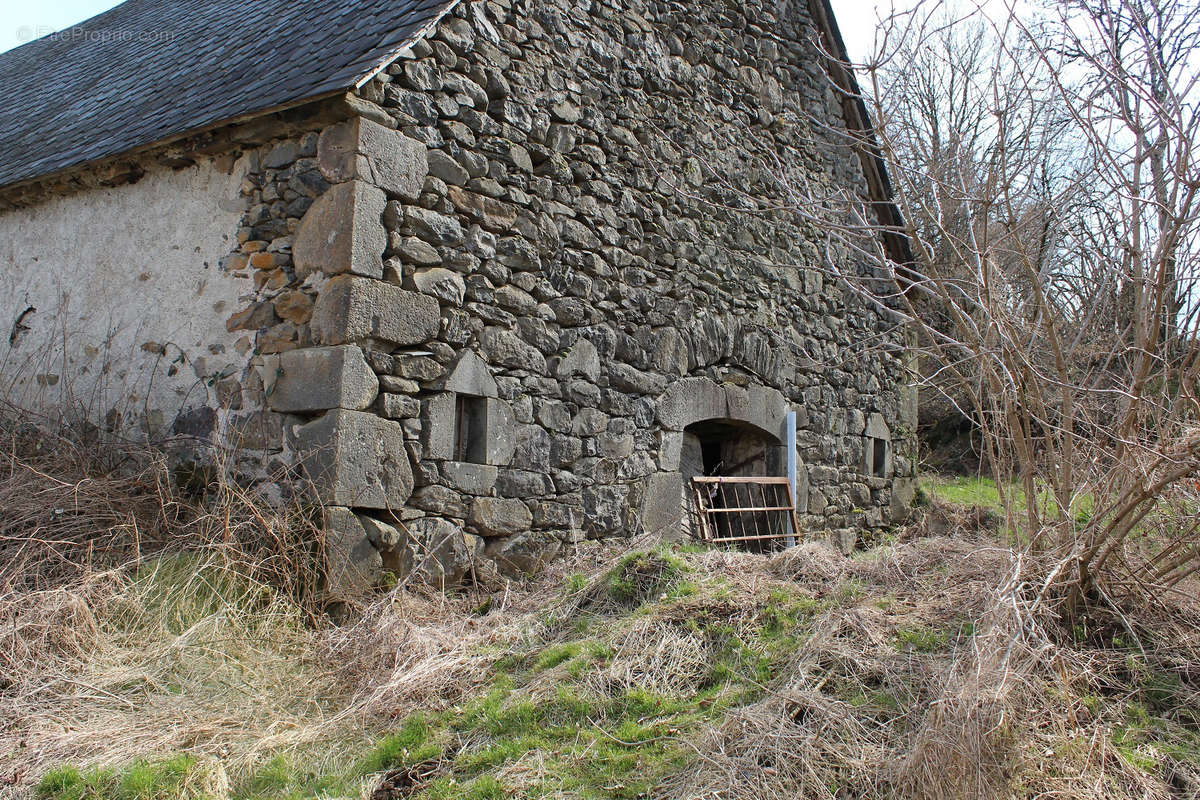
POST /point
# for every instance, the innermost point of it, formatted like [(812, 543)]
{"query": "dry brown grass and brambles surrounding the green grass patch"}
[(149, 623)]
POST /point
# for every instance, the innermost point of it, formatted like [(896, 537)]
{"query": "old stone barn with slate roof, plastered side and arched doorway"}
[(484, 278)]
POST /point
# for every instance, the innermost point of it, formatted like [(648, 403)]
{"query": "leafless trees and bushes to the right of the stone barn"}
[(1046, 171)]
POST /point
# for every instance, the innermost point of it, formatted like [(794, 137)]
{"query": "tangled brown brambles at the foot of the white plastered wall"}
[(75, 501)]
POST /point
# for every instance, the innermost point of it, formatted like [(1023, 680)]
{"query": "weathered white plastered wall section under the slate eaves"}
[(129, 299)]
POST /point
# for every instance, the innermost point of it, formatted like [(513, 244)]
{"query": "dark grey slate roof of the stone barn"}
[(149, 70)]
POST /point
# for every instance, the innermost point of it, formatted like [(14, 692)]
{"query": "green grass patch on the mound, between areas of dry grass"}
[(568, 715)]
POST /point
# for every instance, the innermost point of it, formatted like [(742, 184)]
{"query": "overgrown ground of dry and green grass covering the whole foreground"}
[(665, 673)]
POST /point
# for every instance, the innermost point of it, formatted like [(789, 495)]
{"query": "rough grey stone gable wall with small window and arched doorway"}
[(593, 255)]
